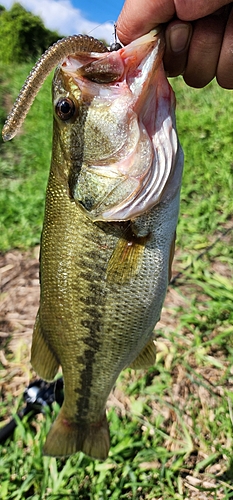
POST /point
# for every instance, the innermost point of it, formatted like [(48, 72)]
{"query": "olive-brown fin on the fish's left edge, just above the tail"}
[(43, 360)]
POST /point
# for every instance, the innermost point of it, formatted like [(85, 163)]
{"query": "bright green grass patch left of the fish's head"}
[(24, 164)]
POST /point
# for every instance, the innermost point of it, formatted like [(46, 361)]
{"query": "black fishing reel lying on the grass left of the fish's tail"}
[(38, 395)]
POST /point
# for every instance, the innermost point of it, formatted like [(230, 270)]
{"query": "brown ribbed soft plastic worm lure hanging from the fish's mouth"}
[(51, 58)]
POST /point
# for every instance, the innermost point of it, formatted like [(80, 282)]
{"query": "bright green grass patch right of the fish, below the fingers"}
[(205, 130)]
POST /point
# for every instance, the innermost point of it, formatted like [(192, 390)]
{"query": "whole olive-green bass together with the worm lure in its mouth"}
[(108, 237)]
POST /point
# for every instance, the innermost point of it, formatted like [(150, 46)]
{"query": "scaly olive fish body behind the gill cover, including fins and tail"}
[(95, 318)]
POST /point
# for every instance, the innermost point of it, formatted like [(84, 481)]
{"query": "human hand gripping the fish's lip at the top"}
[(199, 36)]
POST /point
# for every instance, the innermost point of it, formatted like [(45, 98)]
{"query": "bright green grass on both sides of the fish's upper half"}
[(205, 130)]
